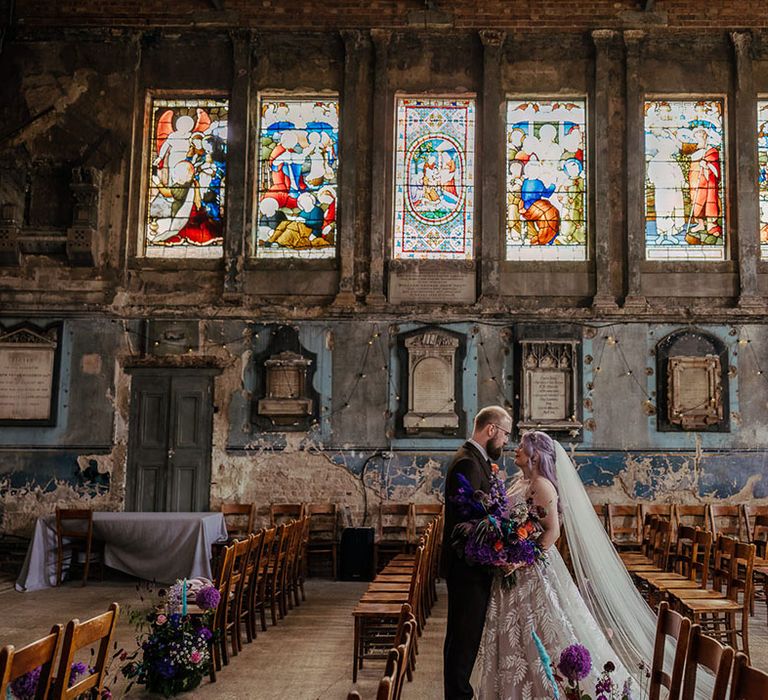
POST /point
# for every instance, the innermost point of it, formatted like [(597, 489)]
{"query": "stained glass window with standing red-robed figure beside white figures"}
[(684, 180)]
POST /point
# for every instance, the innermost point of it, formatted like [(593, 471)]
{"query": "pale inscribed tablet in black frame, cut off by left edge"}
[(27, 374)]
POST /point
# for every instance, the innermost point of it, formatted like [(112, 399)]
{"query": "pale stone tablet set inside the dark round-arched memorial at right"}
[(695, 391)]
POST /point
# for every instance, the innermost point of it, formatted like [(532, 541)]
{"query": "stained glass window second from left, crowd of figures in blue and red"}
[(298, 168)]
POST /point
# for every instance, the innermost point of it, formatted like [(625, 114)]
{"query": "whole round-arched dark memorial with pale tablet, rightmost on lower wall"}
[(692, 382)]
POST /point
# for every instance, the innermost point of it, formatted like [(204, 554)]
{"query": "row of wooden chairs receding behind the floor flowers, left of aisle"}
[(261, 571)]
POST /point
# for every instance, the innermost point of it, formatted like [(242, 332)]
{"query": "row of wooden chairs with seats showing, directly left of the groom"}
[(408, 578)]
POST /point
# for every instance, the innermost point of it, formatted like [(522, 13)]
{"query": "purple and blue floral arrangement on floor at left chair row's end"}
[(174, 645)]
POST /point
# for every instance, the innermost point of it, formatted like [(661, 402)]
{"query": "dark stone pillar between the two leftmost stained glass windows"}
[(237, 228)]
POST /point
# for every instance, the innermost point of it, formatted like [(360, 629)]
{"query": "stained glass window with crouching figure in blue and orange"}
[(546, 180)]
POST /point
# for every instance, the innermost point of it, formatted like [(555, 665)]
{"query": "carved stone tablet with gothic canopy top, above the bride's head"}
[(550, 382)]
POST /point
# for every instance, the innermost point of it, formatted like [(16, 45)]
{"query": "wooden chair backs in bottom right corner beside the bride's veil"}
[(692, 651)]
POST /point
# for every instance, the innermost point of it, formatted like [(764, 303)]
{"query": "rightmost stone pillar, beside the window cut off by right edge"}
[(746, 195)]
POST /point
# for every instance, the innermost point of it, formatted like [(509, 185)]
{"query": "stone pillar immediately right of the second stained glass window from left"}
[(355, 48)]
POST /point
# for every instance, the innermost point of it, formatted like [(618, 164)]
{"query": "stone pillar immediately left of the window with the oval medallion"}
[(382, 106)]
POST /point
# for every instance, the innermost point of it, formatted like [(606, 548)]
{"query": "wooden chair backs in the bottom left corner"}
[(64, 643)]
